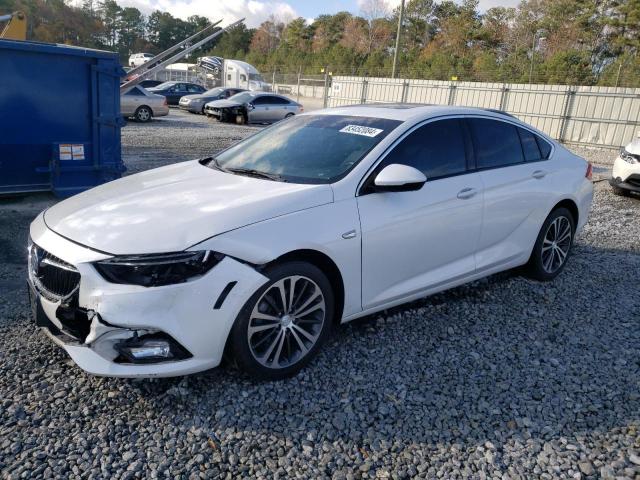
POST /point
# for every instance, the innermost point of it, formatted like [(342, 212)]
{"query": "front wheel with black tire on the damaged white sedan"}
[(245, 349)]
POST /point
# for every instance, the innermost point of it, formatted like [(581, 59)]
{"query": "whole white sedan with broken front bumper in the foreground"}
[(320, 219)]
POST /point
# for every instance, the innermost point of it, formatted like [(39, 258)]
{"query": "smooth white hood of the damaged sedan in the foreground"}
[(172, 208)]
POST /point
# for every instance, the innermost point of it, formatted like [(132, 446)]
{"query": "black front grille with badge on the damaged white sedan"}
[(53, 278)]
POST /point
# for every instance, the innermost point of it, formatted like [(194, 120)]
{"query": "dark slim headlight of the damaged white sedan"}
[(157, 269)]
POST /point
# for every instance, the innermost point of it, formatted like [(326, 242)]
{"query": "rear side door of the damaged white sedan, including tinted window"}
[(515, 177)]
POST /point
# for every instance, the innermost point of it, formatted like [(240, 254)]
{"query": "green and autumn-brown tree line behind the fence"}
[(546, 41)]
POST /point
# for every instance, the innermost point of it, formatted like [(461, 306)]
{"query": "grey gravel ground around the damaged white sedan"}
[(503, 378)]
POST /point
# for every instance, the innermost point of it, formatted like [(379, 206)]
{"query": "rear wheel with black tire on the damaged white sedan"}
[(539, 267)]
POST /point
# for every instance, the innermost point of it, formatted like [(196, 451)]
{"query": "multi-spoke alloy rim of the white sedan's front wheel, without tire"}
[(286, 322)]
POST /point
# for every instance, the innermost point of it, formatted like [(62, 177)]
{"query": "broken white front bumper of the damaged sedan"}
[(185, 312)]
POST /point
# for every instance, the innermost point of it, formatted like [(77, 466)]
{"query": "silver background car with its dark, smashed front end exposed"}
[(253, 107)]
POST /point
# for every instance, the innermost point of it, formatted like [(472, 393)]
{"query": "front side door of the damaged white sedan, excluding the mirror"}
[(418, 240)]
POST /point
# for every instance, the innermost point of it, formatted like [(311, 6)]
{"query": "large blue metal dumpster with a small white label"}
[(59, 118)]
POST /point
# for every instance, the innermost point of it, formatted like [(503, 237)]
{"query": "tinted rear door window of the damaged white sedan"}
[(497, 144)]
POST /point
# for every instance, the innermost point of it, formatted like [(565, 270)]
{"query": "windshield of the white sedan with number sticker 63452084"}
[(308, 149)]
